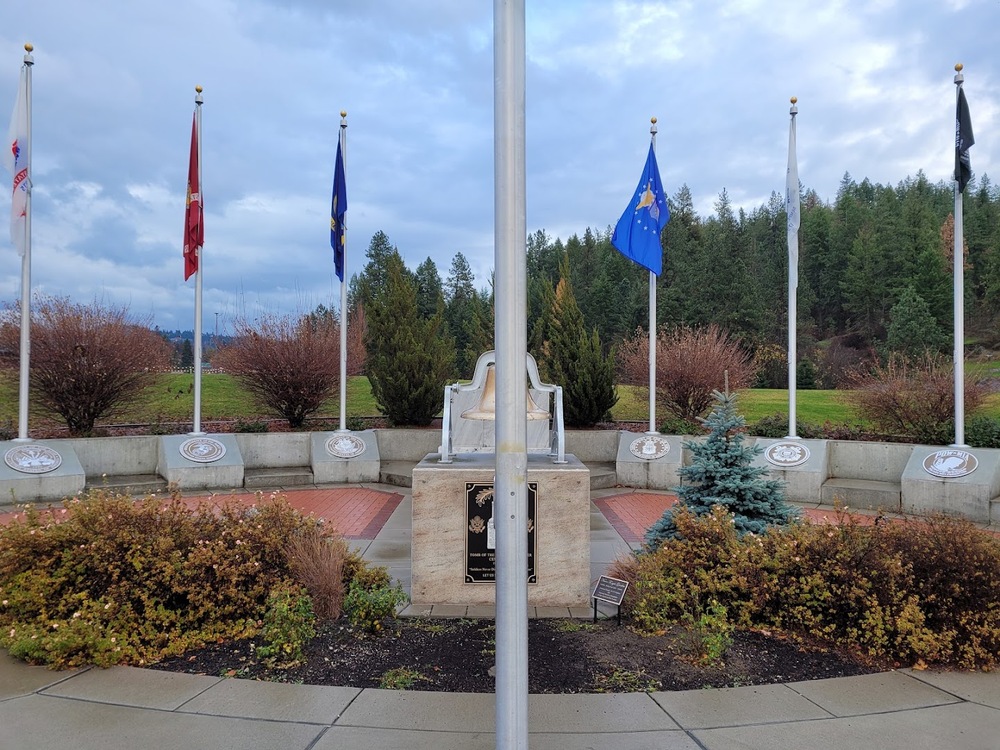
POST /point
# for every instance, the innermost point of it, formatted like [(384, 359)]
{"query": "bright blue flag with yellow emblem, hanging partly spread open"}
[(637, 234)]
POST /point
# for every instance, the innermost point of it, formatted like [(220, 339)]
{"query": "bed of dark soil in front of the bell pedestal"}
[(564, 656)]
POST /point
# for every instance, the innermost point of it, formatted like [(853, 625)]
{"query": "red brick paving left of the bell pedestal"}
[(356, 512)]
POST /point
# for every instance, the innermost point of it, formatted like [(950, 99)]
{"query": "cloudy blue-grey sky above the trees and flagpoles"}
[(113, 92)]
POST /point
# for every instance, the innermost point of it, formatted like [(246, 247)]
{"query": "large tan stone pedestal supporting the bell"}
[(452, 508)]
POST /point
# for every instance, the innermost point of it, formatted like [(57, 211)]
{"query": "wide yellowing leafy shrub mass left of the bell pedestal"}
[(107, 580)]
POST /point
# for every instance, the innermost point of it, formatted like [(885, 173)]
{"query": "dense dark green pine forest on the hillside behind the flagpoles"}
[(871, 253)]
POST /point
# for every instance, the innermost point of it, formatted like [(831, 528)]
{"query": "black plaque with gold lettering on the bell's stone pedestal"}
[(480, 533)]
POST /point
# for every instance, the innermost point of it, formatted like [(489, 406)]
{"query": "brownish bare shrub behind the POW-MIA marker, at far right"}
[(913, 397)]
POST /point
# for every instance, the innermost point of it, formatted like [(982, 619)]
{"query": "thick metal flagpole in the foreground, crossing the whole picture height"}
[(510, 491)]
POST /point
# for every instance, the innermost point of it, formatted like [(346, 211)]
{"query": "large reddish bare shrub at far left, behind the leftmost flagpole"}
[(87, 361)]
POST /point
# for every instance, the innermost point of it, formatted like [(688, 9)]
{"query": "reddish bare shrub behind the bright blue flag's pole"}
[(691, 363)]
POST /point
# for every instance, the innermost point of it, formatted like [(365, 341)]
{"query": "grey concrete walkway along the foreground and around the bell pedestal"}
[(135, 709)]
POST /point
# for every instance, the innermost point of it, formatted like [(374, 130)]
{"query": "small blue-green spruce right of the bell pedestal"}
[(720, 474)]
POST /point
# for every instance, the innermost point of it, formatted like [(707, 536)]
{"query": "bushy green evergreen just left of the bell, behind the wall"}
[(409, 357)]
